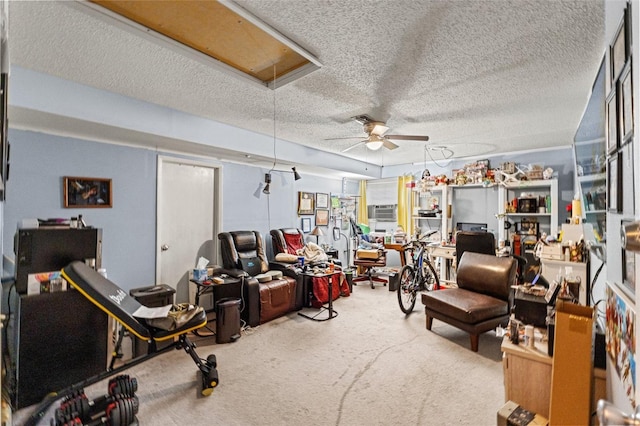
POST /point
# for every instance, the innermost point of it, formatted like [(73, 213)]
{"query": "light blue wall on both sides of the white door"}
[(39, 161)]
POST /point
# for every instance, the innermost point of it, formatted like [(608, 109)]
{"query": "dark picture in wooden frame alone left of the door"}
[(79, 192)]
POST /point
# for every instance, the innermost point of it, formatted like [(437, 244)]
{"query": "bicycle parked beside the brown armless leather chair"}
[(418, 276)]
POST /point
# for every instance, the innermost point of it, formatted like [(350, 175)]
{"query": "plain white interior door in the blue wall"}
[(188, 220)]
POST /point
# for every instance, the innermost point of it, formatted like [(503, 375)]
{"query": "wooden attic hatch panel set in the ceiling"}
[(214, 30)]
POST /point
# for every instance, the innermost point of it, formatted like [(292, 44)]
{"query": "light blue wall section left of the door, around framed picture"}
[(34, 190)]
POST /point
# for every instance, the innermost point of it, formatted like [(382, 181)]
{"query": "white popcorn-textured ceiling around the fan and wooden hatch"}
[(478, 76)]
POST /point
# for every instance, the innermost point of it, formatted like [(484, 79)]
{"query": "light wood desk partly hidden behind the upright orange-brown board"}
[(527, 377)]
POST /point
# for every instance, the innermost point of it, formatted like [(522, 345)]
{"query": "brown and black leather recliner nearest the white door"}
[(243, 255)]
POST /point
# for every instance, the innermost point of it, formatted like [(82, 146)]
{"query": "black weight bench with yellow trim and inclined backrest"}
[(116, 303)]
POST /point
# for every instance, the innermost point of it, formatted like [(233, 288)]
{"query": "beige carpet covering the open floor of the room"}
[(371, 365)]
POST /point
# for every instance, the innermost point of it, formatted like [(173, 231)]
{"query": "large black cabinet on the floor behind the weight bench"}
[(57, 339)]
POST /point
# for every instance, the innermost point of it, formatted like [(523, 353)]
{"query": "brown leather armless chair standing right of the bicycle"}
[(482, 300)]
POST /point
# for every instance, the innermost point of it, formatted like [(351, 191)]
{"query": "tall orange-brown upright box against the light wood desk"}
[(572, 371)]
